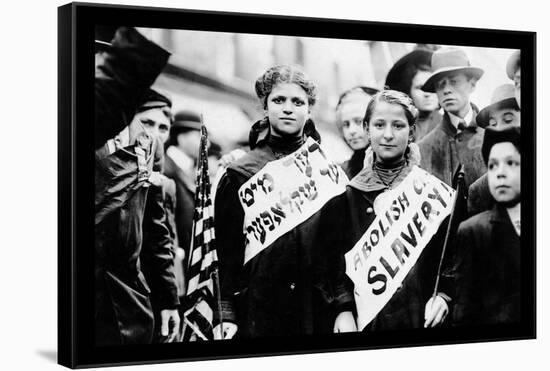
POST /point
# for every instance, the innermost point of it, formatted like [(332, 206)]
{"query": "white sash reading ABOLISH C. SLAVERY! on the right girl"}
[(389, 249)]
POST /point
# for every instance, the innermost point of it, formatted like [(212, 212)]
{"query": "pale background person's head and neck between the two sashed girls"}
[(350, 111)]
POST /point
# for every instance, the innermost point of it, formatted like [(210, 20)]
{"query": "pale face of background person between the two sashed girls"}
[(350, 117)]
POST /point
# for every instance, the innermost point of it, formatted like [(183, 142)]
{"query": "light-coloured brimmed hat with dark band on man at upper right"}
[(447, 60)]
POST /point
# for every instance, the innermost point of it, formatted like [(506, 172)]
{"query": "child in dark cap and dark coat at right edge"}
[(487, 265)]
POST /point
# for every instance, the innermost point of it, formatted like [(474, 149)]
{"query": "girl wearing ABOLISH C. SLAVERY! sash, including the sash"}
[(387, 225)]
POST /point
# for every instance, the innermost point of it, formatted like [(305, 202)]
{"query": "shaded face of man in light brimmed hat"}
[(453, 92)]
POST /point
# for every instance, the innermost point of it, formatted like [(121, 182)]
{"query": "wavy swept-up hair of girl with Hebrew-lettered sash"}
[(284, 74)]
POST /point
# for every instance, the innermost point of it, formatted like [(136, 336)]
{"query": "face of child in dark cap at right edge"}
[(504, 173)]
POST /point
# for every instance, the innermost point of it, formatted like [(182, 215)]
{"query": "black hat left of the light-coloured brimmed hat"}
[(401, 74)]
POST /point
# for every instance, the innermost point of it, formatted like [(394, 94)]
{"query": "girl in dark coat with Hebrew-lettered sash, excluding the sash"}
[(278, 291)]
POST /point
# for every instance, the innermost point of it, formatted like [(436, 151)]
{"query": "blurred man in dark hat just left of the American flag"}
[(182, 151)]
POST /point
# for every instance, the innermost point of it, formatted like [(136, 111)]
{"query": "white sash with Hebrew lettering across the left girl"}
[(285, 193)]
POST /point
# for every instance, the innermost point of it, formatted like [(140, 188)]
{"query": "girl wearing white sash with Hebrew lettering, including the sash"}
[(273, 277)]
